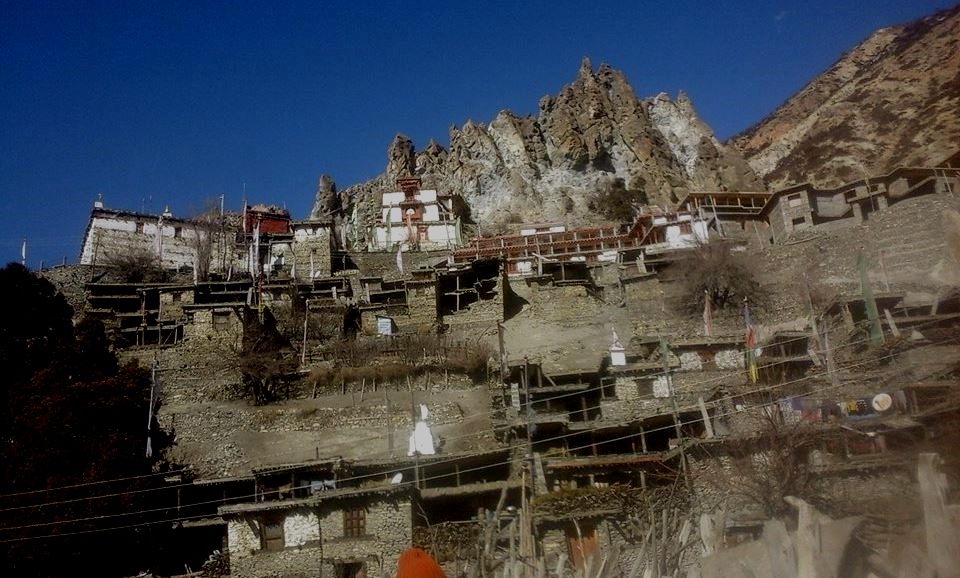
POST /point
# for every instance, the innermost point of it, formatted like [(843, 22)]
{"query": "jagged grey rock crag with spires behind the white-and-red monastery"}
[(593, 135)]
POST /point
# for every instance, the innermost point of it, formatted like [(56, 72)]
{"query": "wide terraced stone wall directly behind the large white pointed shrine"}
[(221, 439)]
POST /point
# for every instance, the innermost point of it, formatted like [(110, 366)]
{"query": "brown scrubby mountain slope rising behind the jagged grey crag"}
[(893, 100)]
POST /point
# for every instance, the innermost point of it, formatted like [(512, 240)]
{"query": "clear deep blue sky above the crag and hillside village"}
[(173, 103)]
